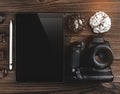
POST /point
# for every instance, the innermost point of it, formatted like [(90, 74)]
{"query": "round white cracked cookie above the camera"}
[(100, 22)]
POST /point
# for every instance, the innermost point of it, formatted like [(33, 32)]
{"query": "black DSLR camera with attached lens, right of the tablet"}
[(91, 60)]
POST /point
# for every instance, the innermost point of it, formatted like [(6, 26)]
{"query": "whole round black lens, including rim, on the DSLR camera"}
[(102, 56)]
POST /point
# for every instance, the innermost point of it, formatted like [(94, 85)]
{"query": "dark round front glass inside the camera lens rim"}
[(103, 56)]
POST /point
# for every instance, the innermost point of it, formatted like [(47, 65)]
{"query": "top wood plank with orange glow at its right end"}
[(59, 5)]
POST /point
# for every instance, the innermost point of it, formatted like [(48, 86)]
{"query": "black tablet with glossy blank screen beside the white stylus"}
[(39, 47)]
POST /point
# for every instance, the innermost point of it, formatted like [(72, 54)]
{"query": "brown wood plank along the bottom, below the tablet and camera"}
[(59, 88)]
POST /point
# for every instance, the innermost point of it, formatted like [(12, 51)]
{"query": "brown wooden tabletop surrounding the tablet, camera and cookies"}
[(87, 8)]
